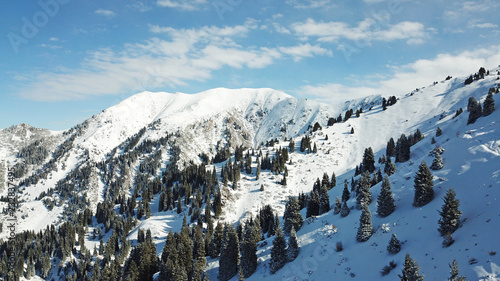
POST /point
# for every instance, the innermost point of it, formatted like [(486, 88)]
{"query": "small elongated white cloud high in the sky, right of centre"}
[(366, 31)]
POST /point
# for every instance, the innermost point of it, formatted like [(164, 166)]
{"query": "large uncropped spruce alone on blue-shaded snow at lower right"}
[(450, 214)]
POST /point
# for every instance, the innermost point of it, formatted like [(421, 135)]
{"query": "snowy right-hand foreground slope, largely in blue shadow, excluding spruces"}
[(472, 168)]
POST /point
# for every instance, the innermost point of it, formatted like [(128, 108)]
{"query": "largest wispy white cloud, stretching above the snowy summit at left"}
[(186, 55)]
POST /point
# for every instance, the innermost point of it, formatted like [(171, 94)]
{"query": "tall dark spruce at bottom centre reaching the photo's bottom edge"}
[(229, 254)]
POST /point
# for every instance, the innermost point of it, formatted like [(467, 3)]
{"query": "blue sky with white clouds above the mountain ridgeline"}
[(62, 61)]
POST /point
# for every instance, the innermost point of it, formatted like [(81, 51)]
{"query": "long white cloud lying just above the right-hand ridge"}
[(408, 77)]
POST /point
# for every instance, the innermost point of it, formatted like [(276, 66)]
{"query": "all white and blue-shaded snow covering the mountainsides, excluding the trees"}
[(471, 167)]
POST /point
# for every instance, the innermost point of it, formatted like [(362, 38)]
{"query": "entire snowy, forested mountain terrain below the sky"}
[(124, 180)]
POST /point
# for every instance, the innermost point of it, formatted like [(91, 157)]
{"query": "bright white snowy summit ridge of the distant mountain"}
[(248, 116)]
